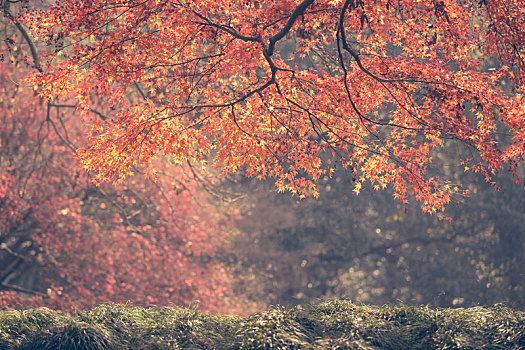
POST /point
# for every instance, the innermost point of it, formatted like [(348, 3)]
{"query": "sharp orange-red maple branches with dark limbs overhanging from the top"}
[(266, 87)]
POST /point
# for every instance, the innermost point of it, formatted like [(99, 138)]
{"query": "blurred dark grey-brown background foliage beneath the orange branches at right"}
[(373, 249)]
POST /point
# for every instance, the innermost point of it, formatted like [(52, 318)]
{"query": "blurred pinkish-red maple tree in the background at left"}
[(79, 244)]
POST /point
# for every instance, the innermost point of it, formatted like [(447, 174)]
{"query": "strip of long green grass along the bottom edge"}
[(333, 324)]
